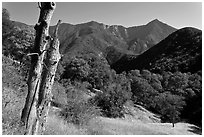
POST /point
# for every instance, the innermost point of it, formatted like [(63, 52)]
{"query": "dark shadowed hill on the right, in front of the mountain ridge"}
[(180, 51)]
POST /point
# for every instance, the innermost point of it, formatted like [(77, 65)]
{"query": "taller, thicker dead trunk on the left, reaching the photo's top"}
[(29, 113)]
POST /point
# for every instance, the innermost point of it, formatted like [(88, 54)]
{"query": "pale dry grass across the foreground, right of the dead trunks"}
[(118, 126)]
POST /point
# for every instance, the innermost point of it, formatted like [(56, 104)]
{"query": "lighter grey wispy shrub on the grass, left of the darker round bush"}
[(77, 109)]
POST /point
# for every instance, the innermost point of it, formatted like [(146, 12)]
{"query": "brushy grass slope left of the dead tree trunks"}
[(13, 97)]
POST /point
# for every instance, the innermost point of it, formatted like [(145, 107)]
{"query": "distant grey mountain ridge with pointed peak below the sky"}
[(121, 40)]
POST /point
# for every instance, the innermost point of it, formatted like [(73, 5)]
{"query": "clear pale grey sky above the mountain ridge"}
[(176, 14)]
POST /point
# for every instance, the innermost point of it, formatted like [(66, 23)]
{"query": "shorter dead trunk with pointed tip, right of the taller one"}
[(45, 96)]
